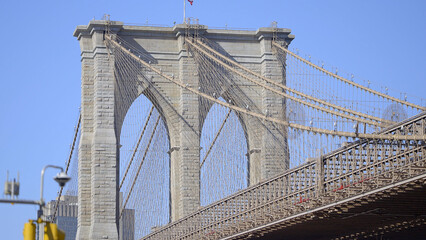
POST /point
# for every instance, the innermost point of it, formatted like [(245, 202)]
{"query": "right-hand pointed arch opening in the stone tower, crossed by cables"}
[(225, 168)]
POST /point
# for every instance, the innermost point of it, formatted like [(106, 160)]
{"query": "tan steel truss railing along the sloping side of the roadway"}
[(355, 168)]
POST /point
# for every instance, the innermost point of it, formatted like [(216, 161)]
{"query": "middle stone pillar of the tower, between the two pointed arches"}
[(185, 160)]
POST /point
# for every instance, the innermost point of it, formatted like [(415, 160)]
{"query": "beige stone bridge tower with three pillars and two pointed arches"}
[(180, 109)]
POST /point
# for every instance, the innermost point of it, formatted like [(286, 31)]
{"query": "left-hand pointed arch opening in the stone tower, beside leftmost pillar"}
[(148, 205)]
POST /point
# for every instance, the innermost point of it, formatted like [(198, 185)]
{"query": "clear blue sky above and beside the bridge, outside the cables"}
[(382, 41)]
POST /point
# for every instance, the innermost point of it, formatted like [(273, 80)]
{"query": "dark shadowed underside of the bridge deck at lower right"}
[(392, 212)]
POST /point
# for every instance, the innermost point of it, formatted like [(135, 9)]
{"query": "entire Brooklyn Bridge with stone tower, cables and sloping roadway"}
[(233, 134)]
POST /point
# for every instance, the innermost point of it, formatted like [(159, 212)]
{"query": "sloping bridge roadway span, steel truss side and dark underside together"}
[(369, 189)]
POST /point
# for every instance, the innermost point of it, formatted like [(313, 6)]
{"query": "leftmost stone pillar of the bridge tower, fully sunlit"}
[(98, 166)]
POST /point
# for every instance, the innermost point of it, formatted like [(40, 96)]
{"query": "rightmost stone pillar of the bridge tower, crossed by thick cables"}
[(268, 153)]
